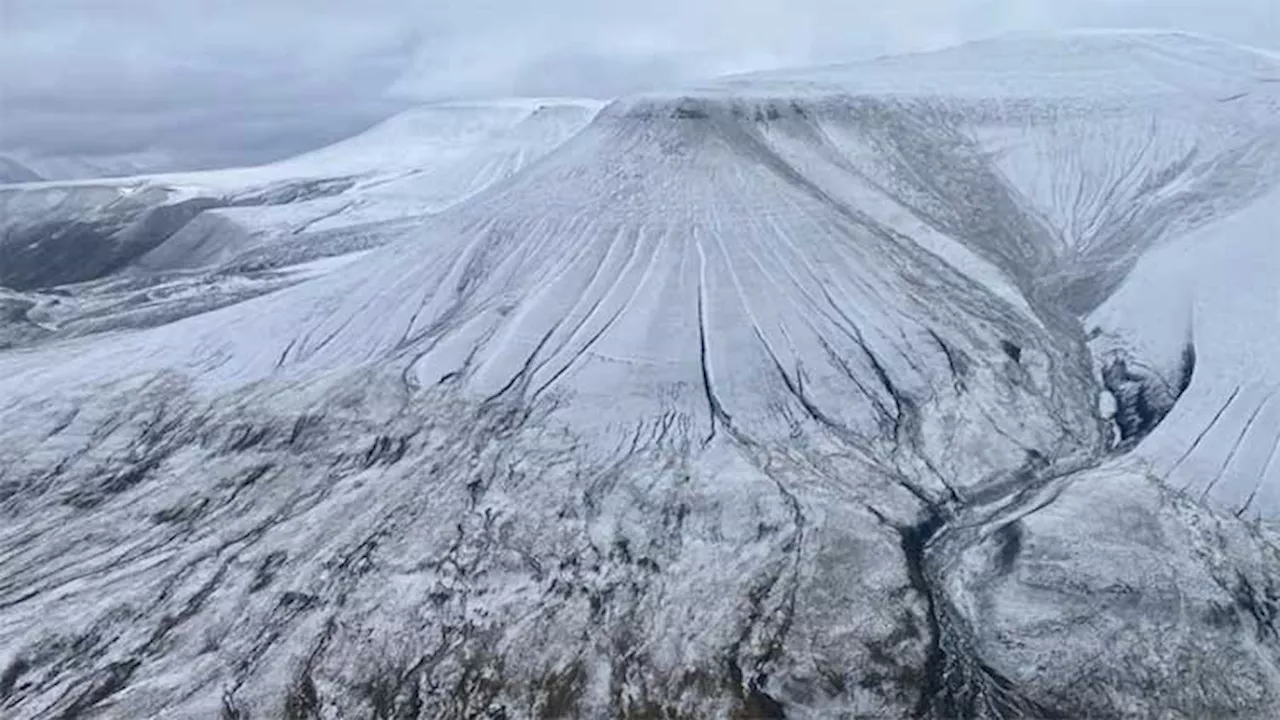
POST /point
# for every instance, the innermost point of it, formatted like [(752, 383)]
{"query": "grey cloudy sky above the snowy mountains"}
[(228, 81)]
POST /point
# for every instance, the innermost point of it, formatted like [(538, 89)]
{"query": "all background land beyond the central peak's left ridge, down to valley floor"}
[(148, 250)]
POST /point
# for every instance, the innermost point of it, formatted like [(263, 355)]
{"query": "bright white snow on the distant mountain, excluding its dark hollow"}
[(413, 165)]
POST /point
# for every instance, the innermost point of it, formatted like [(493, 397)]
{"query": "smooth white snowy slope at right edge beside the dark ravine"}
[(1218, 288)]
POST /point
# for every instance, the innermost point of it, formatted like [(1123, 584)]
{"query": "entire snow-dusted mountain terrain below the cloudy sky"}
[(940, 386)]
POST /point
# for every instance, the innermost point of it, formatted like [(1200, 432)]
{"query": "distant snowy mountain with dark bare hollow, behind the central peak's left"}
[(412, 166)]
